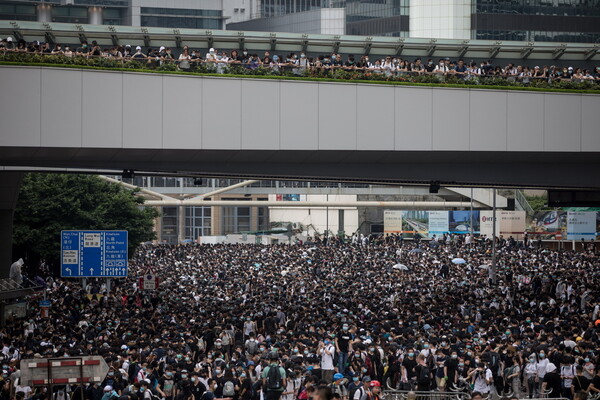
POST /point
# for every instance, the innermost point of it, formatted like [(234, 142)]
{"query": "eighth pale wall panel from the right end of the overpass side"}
[(337, 116)]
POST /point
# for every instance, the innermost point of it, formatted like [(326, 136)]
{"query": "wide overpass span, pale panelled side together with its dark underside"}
[(255, 127)]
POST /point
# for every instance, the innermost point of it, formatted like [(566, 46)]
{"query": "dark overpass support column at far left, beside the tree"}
[(10, 183)]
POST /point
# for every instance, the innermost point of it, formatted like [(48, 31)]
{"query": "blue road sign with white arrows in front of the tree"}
[(94, 254)]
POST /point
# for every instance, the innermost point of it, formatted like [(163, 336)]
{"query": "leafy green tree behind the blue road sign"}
[(50, 203)]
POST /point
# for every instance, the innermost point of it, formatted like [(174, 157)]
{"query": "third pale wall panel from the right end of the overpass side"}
[(525, 121)]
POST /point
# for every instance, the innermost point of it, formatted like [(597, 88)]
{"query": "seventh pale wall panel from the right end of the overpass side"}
[(375, 117)]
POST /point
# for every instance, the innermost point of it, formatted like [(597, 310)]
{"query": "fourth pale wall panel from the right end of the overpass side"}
[(487, 120)]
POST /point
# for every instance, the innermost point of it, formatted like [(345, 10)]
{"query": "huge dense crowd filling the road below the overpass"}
[(324, 320)]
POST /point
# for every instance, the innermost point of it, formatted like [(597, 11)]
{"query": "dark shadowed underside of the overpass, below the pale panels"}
[(484, 169)]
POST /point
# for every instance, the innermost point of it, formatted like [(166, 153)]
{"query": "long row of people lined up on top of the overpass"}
[(301, 63)]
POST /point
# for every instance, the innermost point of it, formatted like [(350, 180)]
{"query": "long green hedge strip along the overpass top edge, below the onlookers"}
[(311, 75)]
